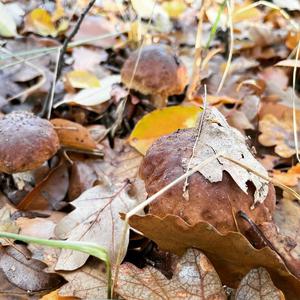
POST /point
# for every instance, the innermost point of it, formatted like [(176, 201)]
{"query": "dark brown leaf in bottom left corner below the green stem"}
[(25, 272)]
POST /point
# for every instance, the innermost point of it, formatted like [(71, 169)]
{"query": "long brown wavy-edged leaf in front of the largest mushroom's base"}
[(231, 254)]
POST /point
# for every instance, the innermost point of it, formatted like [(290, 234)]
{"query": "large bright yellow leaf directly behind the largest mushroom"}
[(161, 122)]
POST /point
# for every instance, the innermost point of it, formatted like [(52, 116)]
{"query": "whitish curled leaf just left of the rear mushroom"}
[(92, 96)]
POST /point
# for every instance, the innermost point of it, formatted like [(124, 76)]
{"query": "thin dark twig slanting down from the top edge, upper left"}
[(60, 64)]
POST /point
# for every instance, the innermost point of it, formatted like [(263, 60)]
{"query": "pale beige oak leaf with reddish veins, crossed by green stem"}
[(95, 219)]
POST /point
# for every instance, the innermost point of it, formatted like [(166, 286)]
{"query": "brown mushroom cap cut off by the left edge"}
[(26, 141)]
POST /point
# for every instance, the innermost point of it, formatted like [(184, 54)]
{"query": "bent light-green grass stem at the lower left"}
[(89, 248)]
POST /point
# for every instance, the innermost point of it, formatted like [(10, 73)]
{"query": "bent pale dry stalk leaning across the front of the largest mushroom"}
[(148, 201)]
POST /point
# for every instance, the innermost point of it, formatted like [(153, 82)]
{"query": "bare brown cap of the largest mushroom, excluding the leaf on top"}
[(216, 203)]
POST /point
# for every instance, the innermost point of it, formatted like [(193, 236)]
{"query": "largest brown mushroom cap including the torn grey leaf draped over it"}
[(210, 199)]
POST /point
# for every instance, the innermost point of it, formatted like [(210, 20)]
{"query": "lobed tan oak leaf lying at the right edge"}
[(278, 133)]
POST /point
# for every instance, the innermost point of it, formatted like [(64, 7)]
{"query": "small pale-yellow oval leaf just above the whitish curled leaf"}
[(82, 79)]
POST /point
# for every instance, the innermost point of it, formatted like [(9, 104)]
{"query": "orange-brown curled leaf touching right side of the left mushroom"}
[(73, 135)]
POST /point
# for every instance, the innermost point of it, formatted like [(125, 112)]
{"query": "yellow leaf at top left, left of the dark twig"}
[(39, 21)]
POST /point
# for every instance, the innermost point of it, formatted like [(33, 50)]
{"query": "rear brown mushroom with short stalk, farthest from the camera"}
[(159, 73)]
